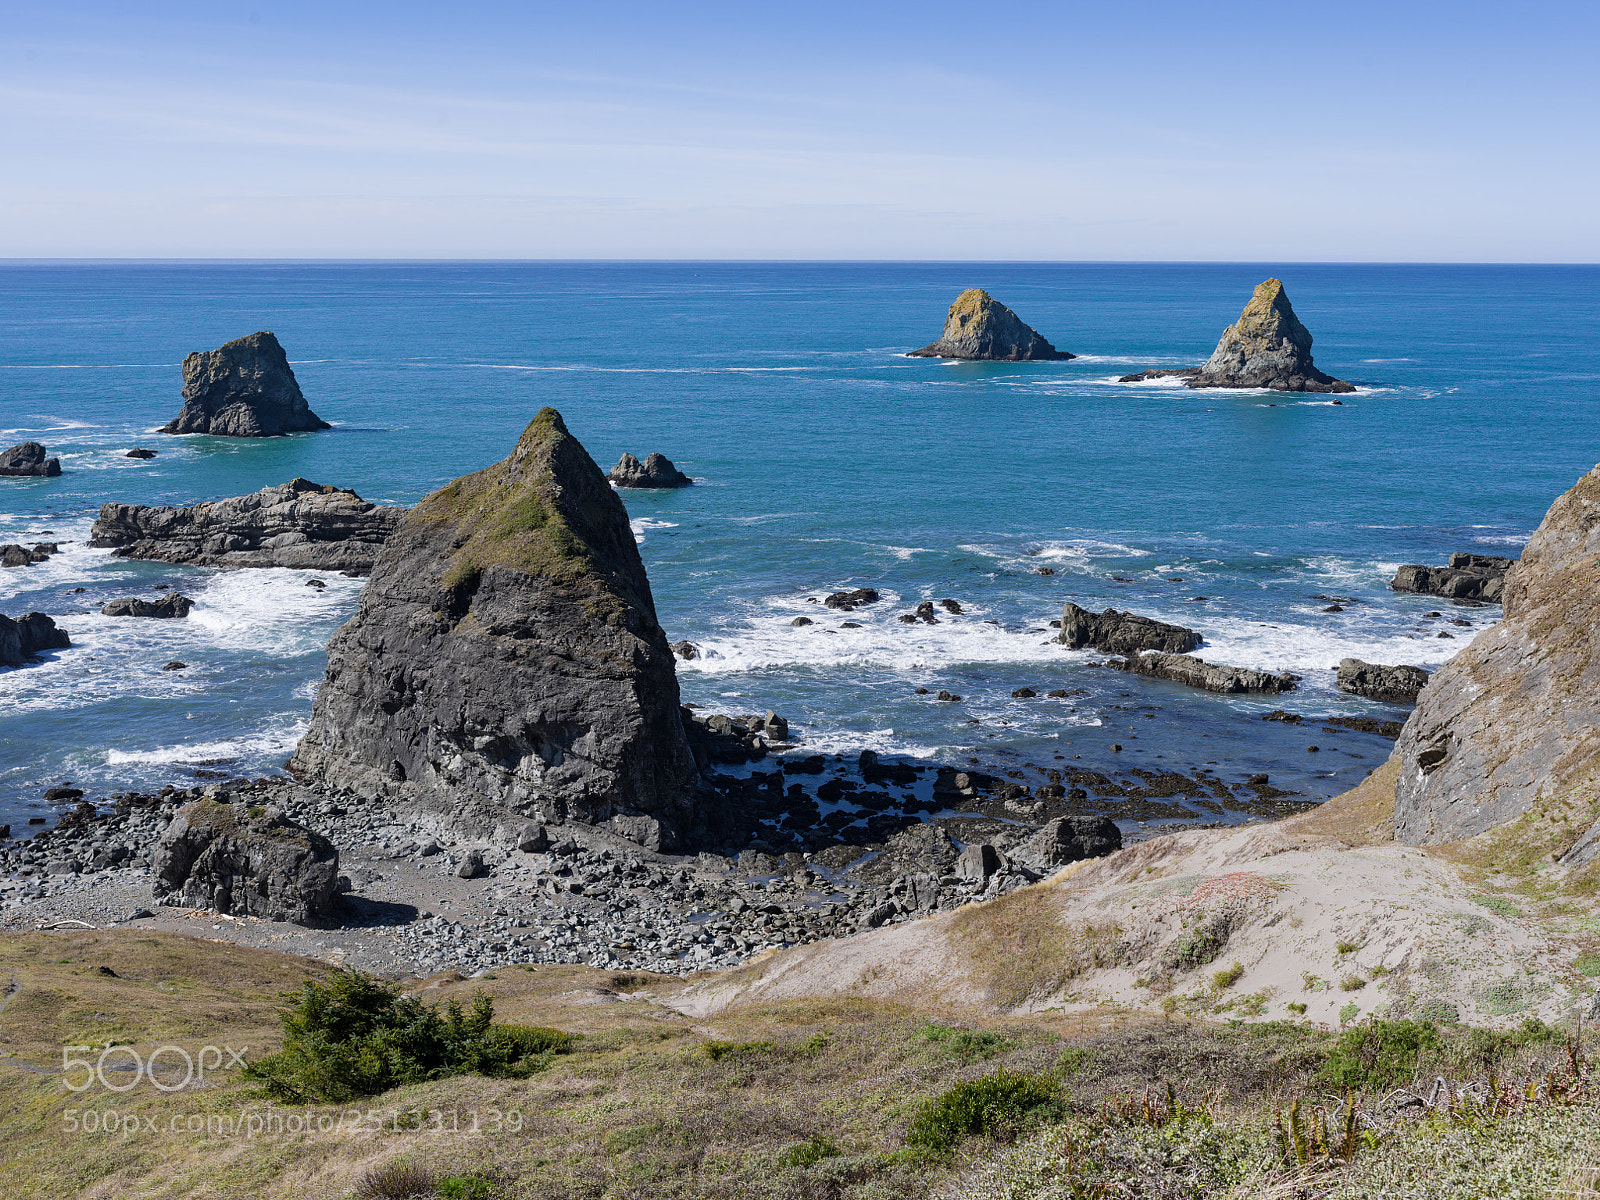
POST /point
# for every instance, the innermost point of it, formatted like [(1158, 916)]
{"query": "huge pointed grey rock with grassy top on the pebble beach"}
[(506, 663)]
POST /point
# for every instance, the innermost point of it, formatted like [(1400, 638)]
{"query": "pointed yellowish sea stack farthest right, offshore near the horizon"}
[(1265, 348)]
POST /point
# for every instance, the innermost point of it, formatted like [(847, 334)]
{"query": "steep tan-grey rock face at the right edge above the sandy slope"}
[(1516, 716)]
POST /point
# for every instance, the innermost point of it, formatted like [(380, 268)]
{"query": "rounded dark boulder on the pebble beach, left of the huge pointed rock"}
[(249, 863)]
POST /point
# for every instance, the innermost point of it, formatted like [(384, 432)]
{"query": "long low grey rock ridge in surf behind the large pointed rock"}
[(300, 524)]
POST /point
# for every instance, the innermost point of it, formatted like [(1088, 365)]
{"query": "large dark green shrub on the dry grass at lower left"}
[(358, 1038)]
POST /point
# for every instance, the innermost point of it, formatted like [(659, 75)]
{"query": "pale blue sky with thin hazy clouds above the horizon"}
[(1049, 132)]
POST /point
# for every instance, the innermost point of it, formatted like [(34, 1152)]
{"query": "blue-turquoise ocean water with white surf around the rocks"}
[(826, 460)]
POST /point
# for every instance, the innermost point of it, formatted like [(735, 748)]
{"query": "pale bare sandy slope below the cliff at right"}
[(1322, 911)]
